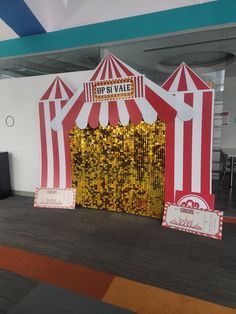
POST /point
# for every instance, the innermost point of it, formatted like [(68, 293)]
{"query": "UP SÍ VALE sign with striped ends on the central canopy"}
[(115, 89)]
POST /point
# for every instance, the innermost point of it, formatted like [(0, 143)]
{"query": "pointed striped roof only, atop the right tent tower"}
[(184, 79)]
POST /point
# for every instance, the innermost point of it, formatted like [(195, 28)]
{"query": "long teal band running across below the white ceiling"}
[(159, 23)]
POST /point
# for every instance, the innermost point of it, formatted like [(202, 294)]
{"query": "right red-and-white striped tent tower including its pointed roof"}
[(192, 140)]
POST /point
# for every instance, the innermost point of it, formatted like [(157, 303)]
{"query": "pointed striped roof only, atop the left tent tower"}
[(57, 90)]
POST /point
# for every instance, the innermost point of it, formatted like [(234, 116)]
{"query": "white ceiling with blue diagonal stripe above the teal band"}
[(37, 17)]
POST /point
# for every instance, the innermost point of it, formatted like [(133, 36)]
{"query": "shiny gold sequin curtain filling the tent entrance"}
[(120, 168)]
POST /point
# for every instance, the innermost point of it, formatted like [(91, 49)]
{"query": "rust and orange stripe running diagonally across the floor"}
[(127, 294)]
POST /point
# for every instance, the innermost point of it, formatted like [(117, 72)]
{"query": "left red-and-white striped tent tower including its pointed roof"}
[(55, 170)]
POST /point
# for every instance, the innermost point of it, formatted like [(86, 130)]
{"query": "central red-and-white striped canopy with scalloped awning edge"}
[(149, 101)]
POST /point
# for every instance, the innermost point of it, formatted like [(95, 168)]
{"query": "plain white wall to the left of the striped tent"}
[(19, 98)]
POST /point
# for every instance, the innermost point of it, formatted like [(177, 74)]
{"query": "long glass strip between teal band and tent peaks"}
[(205, 50)]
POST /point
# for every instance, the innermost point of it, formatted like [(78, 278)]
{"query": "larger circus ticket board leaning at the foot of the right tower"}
[(203, 222)]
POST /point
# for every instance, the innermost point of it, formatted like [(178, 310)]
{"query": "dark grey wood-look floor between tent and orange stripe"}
[(128, 246)]
